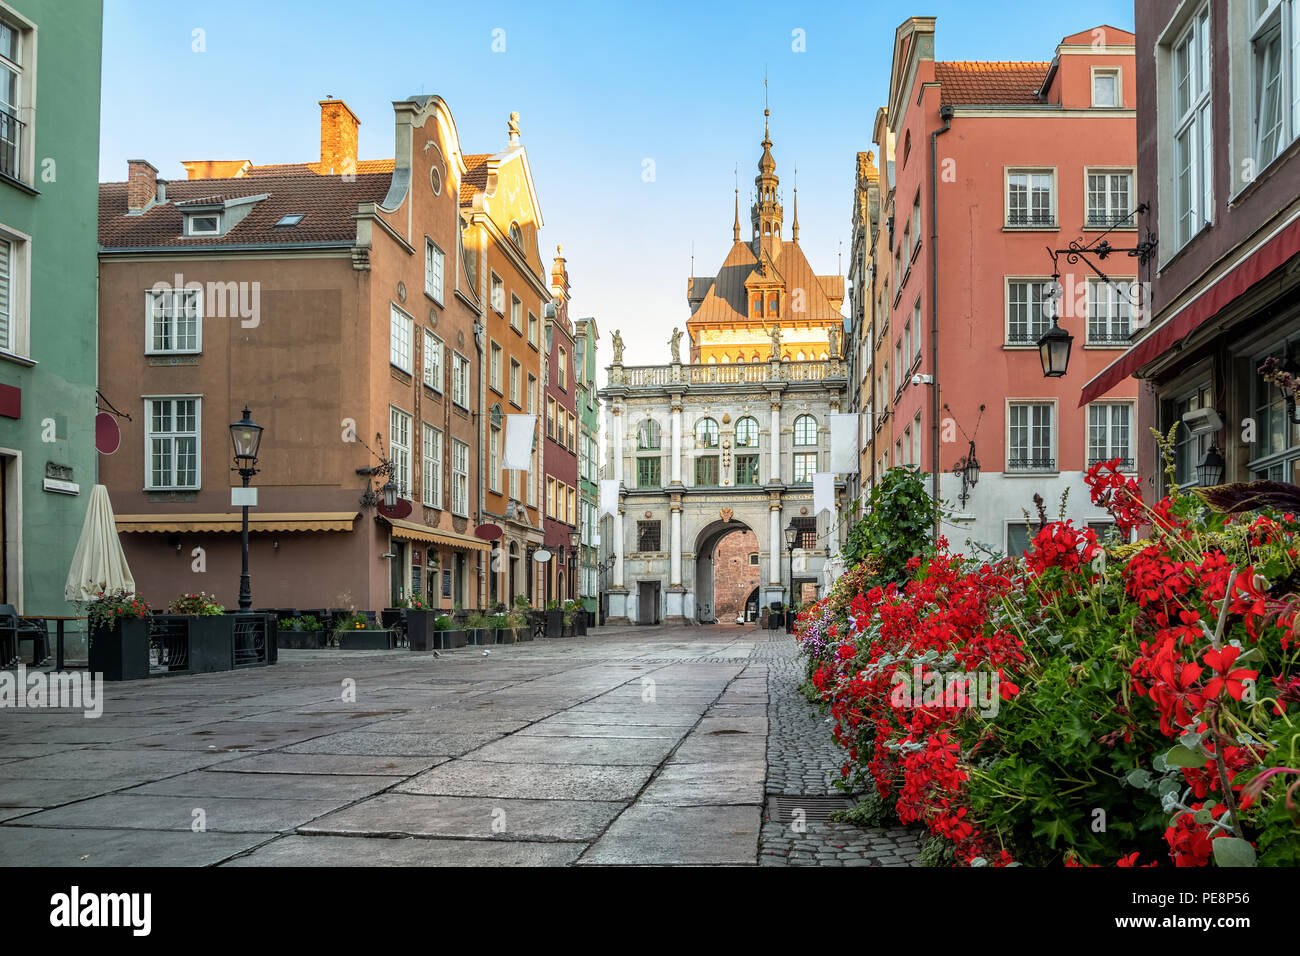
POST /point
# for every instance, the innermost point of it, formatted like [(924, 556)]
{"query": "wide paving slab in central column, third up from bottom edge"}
[(545, 782)]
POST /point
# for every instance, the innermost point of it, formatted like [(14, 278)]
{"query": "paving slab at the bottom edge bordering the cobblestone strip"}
[(651, 836)]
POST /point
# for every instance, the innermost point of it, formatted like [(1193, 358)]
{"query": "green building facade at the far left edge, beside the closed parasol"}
[(49, 291)]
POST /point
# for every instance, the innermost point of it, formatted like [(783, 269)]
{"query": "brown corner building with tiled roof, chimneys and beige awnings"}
[(336, 301)]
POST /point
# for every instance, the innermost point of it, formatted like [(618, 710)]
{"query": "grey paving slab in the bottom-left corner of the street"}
[(93, 849)]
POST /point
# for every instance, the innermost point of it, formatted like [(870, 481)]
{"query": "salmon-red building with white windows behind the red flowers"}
[(994, 165)]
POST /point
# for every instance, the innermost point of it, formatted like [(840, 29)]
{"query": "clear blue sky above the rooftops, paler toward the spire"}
[(635, 115)]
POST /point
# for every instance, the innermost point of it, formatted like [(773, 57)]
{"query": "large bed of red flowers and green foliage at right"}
[(1093, 703)]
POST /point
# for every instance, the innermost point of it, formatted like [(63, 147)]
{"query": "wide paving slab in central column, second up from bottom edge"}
[(414, 815)]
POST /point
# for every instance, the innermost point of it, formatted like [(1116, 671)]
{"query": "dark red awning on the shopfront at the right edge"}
[(1206, 306)]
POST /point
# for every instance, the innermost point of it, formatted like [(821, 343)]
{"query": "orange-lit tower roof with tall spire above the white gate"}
[(765, 284)]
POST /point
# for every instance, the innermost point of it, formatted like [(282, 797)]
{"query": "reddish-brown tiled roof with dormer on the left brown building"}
[(326, 202)]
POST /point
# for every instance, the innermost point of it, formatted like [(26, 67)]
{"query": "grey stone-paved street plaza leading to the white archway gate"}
[(627, 747)]
